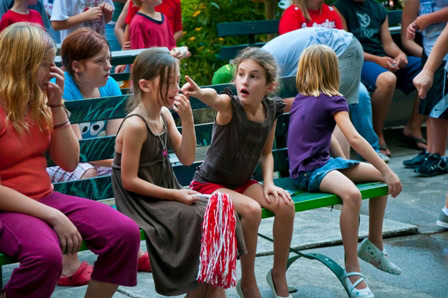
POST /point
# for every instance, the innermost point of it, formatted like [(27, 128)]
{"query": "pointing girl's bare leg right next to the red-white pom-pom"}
[(250, 213)]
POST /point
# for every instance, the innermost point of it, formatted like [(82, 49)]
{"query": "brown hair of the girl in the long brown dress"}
[(150, 64)]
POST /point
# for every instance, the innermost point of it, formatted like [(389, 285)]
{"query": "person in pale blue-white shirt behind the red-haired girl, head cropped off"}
[(68, 15)]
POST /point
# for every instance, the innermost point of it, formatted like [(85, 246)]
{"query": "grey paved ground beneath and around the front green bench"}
[(413, 241)]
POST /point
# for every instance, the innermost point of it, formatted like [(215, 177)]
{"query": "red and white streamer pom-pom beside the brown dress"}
[(217, 265)]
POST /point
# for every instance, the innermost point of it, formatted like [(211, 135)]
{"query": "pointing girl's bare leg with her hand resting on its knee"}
[(282, 231)]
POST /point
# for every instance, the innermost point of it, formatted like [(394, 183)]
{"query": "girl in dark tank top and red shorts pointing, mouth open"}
[(243, 135)]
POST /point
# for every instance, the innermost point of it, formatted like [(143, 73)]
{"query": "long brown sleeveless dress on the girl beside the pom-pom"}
[(173, 229)]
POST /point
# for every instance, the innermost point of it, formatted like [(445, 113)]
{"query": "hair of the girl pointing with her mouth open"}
[(262, 58)]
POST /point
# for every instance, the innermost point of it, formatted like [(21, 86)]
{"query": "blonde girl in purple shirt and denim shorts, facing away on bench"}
[(315, 112)]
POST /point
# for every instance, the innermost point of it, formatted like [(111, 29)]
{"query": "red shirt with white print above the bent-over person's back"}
[(293, 19)]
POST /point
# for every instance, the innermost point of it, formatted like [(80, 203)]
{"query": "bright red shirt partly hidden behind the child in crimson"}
[(170, 8)]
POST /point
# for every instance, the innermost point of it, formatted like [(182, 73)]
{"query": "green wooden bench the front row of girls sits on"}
[(100, 189)]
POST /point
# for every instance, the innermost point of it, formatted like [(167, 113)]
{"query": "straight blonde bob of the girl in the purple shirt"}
[(318, 72)]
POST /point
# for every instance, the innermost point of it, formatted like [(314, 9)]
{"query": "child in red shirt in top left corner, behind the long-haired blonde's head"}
[(19, 12)]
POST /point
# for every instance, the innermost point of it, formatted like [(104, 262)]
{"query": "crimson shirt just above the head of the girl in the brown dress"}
[(145, 32)]
